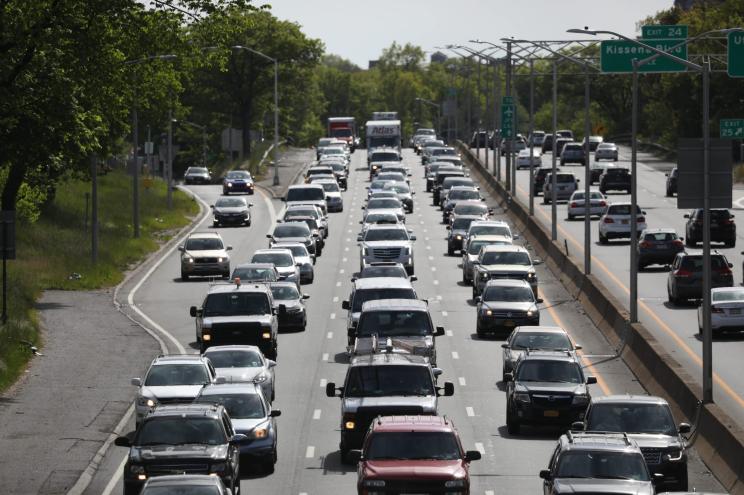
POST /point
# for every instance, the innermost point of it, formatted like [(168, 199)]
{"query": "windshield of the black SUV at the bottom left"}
[(177, 430)]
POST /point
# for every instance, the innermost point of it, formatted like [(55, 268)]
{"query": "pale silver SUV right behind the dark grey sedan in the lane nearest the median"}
[(505, 261)]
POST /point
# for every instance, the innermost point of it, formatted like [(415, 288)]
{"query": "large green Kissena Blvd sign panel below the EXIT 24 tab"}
[(616, 56)]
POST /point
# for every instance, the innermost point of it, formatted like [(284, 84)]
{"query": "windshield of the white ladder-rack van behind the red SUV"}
[(386, 380)]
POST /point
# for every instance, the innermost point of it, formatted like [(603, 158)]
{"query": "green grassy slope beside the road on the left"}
[(54, 252)]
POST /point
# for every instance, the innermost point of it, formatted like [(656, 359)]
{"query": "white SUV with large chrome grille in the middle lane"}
[(387, 243)]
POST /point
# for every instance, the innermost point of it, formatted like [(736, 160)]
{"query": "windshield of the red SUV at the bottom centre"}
[(409, 445)]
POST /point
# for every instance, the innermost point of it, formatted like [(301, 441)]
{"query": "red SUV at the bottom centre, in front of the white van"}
[(413, 454)]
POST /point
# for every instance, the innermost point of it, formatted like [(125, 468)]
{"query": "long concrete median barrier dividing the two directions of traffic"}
[(718, 440)]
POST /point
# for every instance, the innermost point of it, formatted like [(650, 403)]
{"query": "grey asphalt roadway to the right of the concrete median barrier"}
[(675, 326)]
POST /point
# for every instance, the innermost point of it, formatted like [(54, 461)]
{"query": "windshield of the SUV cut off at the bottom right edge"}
[(599, 464)]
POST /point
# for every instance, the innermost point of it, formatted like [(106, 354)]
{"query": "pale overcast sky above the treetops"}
[(360, 30)]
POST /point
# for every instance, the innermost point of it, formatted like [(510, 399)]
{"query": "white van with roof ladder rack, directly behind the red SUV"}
[(384, 384)]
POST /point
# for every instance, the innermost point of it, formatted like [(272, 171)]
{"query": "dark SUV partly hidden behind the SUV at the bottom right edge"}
[(647, 420)]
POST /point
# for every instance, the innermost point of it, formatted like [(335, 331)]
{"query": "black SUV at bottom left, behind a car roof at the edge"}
[(182, 439)]
